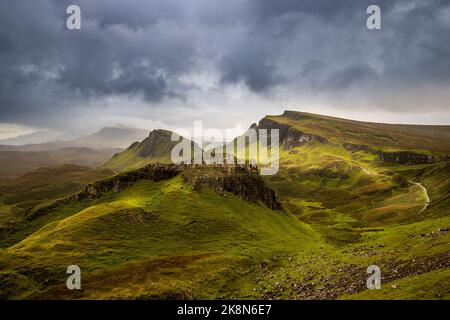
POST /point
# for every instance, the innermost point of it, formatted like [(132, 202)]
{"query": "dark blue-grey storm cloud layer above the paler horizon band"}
[(144, 48)]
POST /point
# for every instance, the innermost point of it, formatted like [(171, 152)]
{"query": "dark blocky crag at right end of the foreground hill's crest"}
[(243, 181)]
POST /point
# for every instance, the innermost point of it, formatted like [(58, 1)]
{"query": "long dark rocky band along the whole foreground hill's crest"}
[(243, 181)]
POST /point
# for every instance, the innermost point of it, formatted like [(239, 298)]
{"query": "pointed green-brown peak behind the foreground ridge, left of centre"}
[(157, 147)]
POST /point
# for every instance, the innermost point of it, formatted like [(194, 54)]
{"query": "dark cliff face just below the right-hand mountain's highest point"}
[(289, 136)]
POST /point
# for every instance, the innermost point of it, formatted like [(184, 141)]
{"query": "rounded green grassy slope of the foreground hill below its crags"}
[(154, 240)]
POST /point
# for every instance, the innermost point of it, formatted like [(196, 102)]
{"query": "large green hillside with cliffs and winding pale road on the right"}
[(364, 187)]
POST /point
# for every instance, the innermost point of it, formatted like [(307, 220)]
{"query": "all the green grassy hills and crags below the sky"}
[(348, 195)]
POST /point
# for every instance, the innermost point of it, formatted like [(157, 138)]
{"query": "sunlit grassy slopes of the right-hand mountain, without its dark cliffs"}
[(359, 204)]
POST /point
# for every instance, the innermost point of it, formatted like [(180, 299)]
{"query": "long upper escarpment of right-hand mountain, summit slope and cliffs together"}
[(297, 129)]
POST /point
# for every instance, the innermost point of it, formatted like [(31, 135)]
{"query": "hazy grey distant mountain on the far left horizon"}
[(108, 137)]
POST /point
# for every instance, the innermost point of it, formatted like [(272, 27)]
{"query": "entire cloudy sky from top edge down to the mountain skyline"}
[(167, 63)]
